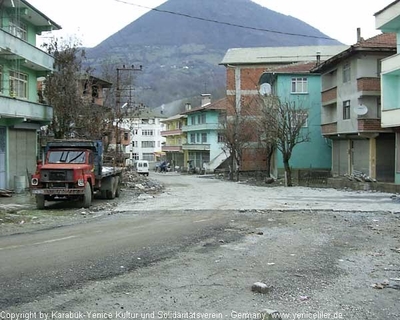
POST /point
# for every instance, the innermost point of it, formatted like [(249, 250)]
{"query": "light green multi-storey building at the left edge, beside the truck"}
[(22, 112)]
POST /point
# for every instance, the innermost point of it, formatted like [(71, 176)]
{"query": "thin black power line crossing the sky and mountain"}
[(224, 23)]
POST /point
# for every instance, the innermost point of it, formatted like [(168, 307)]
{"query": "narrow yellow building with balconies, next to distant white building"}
[(175, 138)]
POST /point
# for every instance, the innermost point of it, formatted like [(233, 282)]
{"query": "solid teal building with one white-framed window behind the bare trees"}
[(295, 84)]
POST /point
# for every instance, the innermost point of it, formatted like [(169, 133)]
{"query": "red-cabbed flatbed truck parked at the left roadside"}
[(73, 170)]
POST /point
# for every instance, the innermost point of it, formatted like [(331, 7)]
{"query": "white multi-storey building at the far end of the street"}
[(146, 139)]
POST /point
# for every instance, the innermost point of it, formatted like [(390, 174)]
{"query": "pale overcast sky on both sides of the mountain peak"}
[(92, 21)]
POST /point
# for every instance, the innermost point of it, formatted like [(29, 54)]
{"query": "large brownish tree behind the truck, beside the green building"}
[(67, 91)]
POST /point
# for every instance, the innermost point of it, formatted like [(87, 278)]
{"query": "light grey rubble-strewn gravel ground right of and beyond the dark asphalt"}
[(324, 253)]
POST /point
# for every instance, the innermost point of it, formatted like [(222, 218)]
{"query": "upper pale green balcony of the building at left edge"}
[(13, 48)]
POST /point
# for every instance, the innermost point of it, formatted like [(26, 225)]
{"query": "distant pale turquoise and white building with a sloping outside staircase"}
[(204, 148)]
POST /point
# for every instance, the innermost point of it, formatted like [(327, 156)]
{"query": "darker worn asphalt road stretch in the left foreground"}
[(36, 263)]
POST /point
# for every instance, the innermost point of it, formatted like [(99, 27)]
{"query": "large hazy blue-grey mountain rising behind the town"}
[(181, 42)]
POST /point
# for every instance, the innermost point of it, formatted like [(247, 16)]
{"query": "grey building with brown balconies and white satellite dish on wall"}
[(351, 109)]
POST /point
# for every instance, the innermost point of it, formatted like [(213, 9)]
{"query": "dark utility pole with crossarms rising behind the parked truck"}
[(118, 108)]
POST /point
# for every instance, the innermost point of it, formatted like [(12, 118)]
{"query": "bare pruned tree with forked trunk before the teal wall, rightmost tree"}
[(285, 128)]
